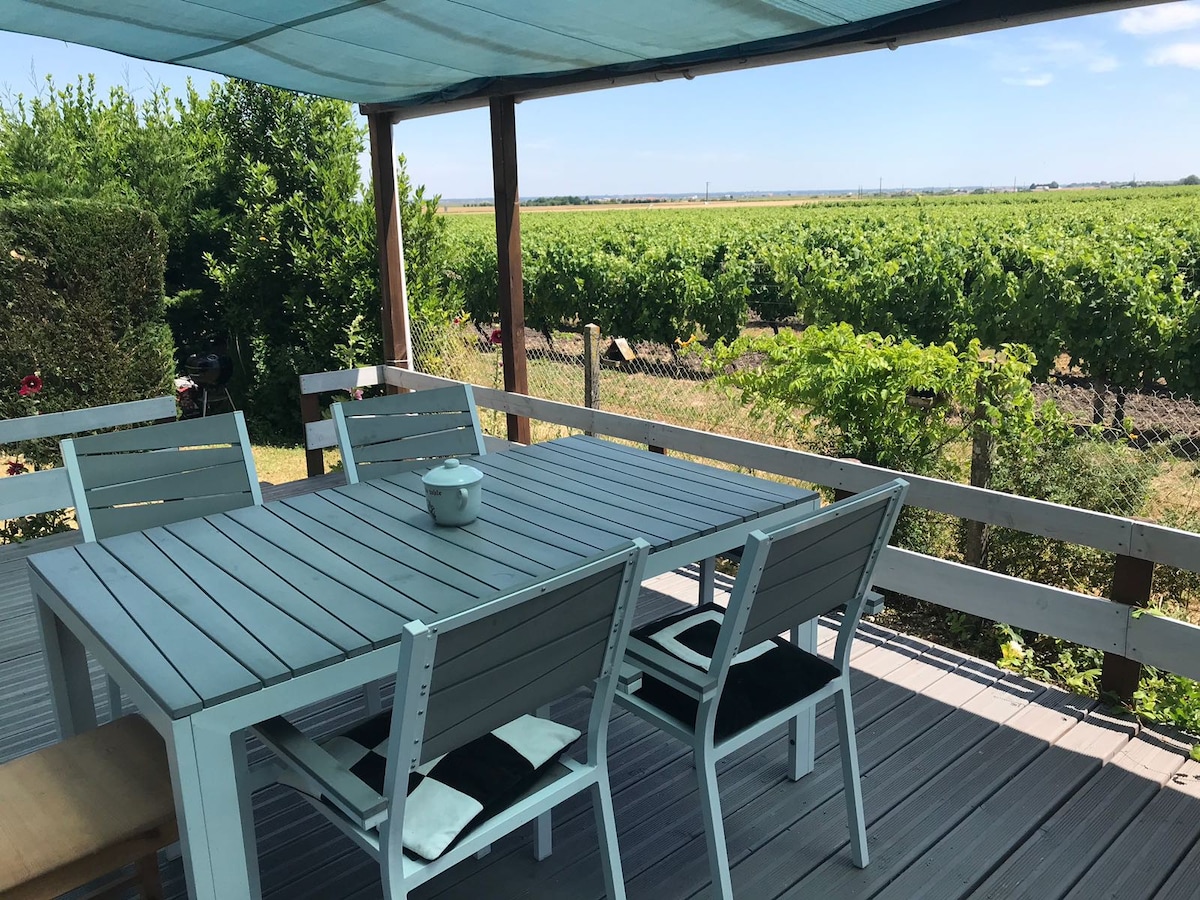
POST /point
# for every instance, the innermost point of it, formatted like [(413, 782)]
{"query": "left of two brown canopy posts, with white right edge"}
[(394, 296)]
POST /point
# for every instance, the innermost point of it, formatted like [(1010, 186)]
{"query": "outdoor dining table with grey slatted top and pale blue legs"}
[(218, 623)]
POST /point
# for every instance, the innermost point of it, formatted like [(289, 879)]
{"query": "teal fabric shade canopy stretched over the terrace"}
[(422, 57)]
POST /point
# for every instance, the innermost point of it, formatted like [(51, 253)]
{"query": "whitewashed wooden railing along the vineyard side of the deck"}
[(1111, 625)]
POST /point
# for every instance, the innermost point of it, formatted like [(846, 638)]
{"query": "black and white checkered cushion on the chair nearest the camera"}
[(451, 795)]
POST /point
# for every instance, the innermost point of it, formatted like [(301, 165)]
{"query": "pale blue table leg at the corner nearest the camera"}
[(215, 812)]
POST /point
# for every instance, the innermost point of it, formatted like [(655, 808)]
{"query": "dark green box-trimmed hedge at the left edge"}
[(81, 305)]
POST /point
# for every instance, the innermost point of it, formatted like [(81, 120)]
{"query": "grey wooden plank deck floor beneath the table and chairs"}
[(979, 784)]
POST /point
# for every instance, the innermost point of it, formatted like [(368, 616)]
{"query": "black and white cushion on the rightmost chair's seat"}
[(763, 680)]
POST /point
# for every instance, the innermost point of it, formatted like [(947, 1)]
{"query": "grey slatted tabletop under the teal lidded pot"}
[(213, 609)]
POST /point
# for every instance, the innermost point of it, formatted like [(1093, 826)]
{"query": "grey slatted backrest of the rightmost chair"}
[(813, 567)]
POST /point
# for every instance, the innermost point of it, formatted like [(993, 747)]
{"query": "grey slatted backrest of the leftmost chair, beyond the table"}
[(139, 479)]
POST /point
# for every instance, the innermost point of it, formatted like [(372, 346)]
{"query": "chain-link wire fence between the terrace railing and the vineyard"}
[(1144, 455)]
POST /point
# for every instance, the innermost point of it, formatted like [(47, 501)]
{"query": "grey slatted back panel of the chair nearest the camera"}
[(490, 671)]
